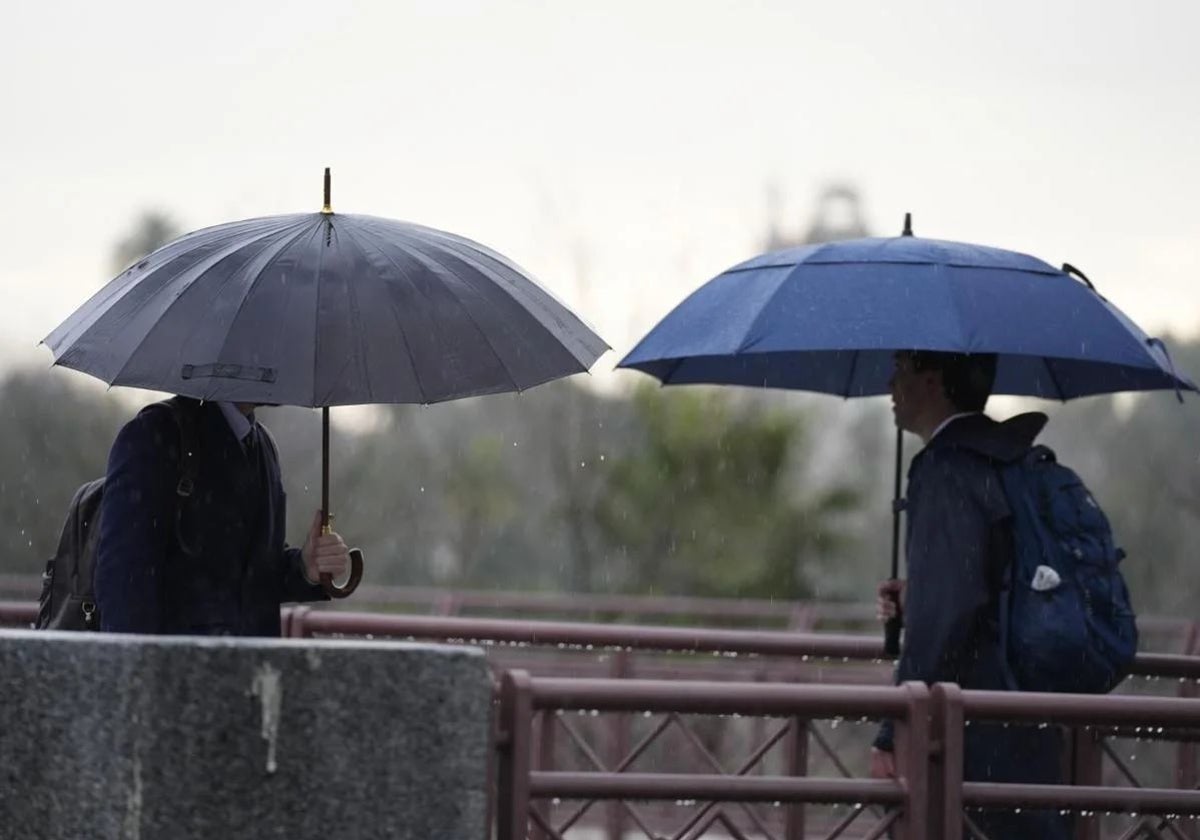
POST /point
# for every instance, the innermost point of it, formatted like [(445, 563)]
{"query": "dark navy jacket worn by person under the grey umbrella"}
[(236, 571)]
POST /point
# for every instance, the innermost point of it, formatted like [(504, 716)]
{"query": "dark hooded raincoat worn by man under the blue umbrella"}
[(958, 545)]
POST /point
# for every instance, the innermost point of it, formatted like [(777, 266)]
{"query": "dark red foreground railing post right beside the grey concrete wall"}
[(517, 733)]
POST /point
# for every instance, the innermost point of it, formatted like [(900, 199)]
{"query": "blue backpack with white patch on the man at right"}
[(1066, 620)]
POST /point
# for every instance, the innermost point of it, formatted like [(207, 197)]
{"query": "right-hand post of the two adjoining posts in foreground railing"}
[(946, 763)]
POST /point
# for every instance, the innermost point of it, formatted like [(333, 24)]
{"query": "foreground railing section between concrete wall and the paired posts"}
[(521, 787)]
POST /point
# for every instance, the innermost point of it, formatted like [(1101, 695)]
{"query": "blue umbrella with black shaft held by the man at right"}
[(830, 317)]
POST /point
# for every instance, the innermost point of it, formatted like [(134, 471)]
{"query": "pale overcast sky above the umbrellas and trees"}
[(619, 151)]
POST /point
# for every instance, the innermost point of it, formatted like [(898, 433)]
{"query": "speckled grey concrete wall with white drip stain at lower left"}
[(148, 739)]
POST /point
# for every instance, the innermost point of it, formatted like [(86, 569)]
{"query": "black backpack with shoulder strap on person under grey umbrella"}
[(68, 602)]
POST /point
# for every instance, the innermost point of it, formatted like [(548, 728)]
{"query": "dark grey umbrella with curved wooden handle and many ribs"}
[(325, 310)]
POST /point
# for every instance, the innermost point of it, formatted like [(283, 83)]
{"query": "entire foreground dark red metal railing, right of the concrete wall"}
[(928, 800)]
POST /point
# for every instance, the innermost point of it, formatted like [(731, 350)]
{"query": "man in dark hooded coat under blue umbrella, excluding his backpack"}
[(958, 545)]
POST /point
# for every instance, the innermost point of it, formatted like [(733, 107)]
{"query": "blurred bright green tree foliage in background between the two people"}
[(706, 502)]
